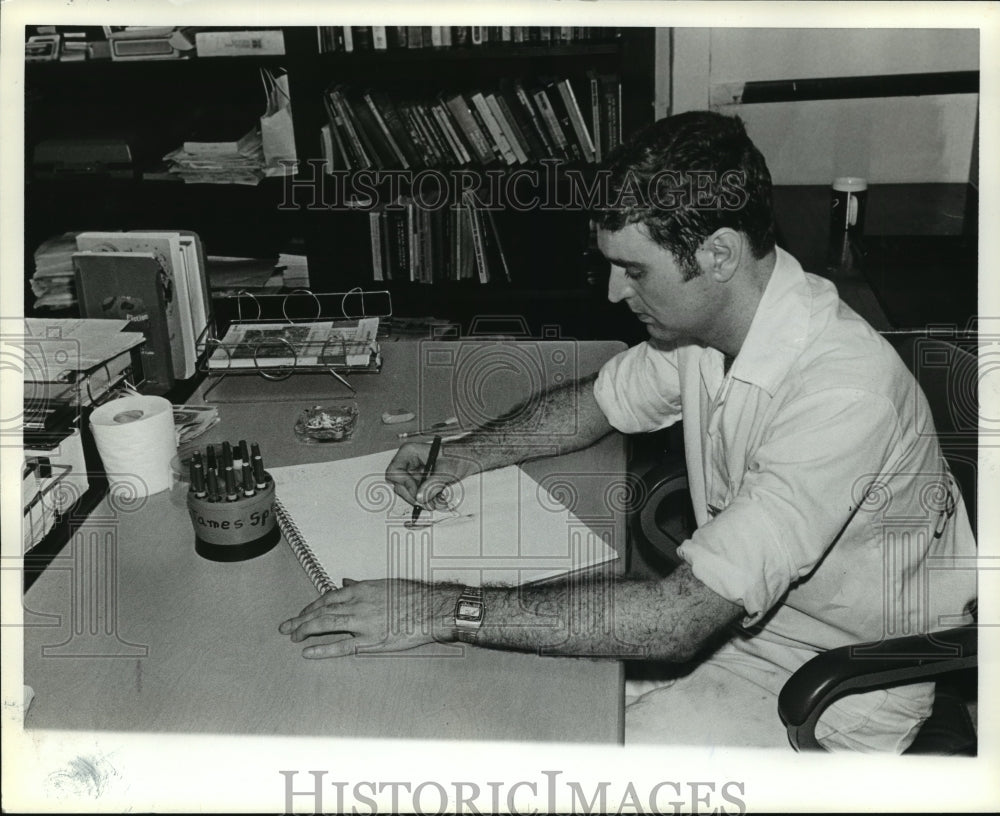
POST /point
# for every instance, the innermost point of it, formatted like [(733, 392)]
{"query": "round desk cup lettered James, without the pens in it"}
[(235, 530)]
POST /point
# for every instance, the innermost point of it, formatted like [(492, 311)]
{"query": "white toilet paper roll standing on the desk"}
[(136, 440)]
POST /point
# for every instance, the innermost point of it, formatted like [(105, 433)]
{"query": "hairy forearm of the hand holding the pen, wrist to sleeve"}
[(562, 419)]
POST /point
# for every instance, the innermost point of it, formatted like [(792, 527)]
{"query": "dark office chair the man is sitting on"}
[(948, 374)]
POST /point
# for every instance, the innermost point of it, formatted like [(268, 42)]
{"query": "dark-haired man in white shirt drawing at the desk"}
[(803, 440)]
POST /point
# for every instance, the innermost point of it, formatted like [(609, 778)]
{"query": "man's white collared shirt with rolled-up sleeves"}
[(824, 505)]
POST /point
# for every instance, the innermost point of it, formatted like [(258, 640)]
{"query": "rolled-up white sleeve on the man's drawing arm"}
[(639, 389)]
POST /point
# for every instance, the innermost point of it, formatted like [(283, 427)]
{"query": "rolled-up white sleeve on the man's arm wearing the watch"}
[(802, 486)]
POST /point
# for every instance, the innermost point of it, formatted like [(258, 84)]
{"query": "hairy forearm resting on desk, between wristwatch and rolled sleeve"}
[(667, 619)]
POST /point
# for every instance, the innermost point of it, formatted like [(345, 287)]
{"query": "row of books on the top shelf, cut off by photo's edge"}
[(384, 38)]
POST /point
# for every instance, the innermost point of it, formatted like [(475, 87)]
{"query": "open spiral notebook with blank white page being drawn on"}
[(342, 520)]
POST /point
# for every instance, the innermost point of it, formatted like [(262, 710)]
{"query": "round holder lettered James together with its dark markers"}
[(234, 519)]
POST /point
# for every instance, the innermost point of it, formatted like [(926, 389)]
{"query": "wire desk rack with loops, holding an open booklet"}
[(276, 336)]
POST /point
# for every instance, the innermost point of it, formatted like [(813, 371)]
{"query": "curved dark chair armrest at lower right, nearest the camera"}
[(860, 667)]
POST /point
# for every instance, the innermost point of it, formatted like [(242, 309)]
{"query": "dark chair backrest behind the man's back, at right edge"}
[(947, 370)]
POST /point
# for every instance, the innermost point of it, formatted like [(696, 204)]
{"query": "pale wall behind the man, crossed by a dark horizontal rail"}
[(894, 139)]
